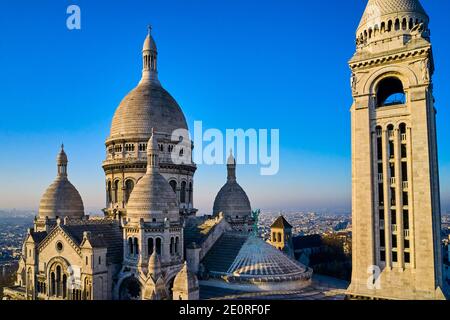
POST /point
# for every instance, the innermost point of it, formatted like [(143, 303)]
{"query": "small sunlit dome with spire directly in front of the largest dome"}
[(153, 197)]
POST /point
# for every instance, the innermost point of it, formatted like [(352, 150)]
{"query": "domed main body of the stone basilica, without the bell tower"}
[(150, 244)]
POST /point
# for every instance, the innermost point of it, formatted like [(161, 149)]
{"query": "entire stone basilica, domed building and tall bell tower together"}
[(151, 245)]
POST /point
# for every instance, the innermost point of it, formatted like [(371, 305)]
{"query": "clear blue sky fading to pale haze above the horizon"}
[(229, 63)]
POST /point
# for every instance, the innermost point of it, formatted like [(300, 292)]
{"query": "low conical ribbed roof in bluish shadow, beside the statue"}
[(259, 260)]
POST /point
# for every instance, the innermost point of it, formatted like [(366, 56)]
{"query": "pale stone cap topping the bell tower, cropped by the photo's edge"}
[(377, 9)]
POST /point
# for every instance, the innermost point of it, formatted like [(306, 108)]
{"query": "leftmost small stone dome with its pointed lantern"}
[(61, 199)]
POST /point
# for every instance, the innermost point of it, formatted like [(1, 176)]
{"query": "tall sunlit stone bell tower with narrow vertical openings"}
[(395, 181)]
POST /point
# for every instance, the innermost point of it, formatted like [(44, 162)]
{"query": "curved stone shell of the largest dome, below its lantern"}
[(147, 106)]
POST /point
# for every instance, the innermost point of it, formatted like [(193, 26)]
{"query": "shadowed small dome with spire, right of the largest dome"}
[(232, 200)]
